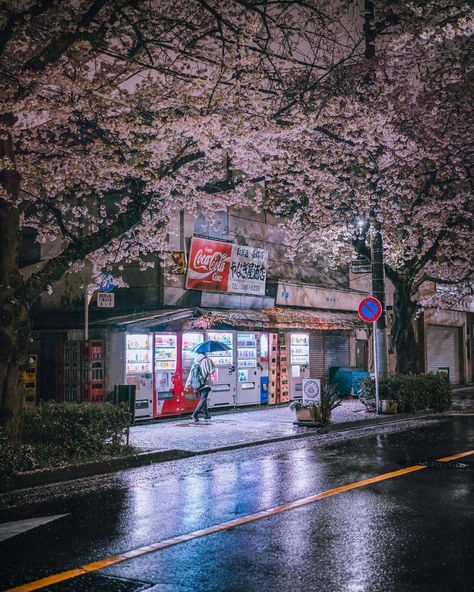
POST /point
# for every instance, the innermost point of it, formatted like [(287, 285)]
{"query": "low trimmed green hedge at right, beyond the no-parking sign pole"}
[(413, 392)]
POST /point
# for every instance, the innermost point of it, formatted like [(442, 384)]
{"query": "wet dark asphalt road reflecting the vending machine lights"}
[(410, 532)]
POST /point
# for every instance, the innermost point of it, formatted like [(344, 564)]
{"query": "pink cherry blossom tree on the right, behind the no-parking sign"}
[(392, 144)]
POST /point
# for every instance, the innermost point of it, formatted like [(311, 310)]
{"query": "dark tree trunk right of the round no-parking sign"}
[(403, 334)]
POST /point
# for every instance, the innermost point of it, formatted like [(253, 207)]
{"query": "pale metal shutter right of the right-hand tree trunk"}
[(443, 350)]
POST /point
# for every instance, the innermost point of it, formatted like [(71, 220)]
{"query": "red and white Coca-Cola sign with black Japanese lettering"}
[(223, 267)]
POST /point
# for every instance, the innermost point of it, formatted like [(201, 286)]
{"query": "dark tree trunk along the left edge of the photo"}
[(14, 319)]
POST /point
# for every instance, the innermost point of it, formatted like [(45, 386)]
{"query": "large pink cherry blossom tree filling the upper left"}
[(116, 114)]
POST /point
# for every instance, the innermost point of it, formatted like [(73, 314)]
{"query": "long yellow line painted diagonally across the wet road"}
[(97, 565)]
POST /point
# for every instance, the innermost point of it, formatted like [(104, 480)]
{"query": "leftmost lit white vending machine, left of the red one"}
[(138, 372)]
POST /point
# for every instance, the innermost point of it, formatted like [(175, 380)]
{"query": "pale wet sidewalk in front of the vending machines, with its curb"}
[(180, 438)]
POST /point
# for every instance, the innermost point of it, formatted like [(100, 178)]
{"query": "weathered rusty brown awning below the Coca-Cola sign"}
[(273, 318)]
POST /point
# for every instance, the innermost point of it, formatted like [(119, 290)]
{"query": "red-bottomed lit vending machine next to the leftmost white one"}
[(166, 357)]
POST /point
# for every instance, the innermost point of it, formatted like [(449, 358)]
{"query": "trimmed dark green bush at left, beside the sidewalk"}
[(74, 431)]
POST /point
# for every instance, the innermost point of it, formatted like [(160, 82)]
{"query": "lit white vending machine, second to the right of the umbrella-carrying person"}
[(248, 370)]
